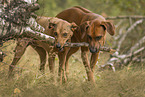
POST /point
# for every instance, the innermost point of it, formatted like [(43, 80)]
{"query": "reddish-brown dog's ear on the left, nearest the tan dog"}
[(84, 27)]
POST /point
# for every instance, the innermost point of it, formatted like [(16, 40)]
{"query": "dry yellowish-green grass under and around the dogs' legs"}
[(30, 82)]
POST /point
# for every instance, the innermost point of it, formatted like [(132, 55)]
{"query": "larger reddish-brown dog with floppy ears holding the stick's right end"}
[(92, 29)]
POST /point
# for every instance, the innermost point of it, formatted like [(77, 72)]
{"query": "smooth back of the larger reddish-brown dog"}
[(78, 15)]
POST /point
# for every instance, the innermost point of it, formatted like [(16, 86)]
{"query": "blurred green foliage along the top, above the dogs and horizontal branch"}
[(110, 7)]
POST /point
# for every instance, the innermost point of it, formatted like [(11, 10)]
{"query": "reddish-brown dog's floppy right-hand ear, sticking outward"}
[(109, 27)]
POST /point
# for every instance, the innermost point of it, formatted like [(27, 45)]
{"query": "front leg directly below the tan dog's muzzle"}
[(62, 60)]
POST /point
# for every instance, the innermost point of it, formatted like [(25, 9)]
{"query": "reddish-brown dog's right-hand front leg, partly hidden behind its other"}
[(93, 61)]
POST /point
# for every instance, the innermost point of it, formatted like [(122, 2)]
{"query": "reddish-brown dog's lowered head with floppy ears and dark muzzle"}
[(95, 33)]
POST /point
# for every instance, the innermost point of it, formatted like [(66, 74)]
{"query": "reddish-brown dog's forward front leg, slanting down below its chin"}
[(84, 55)]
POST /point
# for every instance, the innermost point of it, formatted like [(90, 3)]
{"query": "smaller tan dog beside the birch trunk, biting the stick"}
[(58, 28)]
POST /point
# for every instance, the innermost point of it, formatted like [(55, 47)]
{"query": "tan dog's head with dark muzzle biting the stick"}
[(60, 29)]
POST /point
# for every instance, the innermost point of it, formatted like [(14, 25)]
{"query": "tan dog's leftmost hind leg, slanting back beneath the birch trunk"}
[(19, 51)]
